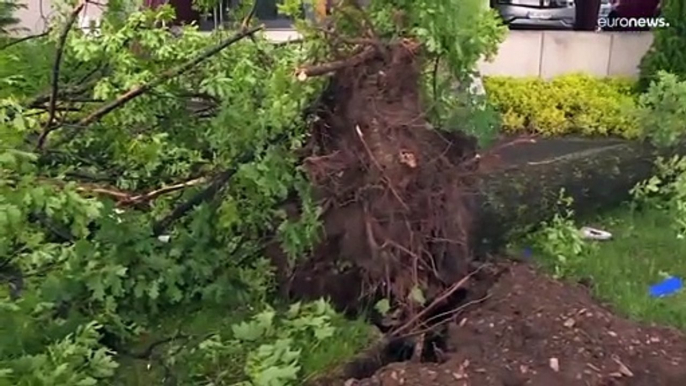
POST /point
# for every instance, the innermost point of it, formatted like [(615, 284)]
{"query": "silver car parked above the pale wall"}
[(543, 13)]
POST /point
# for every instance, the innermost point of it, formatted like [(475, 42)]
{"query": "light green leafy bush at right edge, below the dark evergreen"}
[(661, 111)]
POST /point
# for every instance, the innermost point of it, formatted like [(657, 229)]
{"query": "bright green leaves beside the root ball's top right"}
[(457, 34)]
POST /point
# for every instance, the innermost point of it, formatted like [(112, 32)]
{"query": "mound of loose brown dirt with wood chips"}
[(535, 331)]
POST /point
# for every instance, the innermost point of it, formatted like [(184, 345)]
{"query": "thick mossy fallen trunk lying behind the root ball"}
[(520, 196)]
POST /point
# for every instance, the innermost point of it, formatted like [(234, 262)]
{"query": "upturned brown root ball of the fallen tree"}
[(396, 193)]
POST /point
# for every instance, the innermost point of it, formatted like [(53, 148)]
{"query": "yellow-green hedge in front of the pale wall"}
[(570, 104)]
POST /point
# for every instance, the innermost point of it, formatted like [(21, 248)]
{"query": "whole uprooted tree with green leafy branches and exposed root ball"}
[(149, 175)]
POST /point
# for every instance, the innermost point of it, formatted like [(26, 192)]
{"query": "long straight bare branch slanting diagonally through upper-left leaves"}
[(137, 91)]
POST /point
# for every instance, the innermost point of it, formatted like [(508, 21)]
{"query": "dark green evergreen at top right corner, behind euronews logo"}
[(668, 49)]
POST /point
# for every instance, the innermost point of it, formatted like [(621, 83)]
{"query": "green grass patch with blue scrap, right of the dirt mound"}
[(643, 251)]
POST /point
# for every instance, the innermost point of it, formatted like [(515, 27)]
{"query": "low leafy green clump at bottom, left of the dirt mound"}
[(272, 347)]
